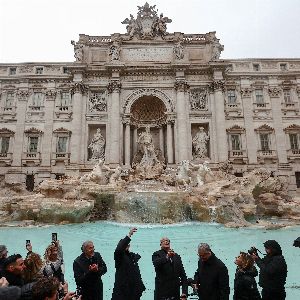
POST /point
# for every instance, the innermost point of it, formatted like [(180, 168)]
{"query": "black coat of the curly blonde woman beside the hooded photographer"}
[(245, 287)]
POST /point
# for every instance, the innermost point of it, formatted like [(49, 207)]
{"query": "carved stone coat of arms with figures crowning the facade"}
[(148, 24)]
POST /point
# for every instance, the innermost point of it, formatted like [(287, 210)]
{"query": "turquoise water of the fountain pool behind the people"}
[(225, 242)]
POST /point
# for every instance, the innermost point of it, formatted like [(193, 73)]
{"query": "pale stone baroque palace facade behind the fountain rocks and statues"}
[(174, 83)]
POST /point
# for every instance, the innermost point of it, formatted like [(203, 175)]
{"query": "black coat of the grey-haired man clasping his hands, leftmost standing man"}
[(90, 283)]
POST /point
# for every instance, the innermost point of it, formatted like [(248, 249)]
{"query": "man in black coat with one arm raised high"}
[(128, 280)]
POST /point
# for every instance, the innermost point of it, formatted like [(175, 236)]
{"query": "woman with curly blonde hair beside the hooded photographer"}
[(245, 287)]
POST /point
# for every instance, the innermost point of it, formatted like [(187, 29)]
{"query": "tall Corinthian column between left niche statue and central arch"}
[(114, 88)]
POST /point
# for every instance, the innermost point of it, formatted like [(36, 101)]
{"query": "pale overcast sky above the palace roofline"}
[(41, 30)]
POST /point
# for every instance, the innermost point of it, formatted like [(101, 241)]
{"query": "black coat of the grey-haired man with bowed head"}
[(212, 279)]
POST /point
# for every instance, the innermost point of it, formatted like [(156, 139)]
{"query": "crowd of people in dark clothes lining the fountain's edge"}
[(43, 279)]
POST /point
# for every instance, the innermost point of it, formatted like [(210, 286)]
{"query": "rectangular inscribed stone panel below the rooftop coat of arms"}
[(148, 54)]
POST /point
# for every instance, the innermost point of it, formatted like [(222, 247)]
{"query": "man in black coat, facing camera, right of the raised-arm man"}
[(170, 274)]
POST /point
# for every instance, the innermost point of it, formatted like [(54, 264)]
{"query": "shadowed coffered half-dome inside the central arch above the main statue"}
[(148, 110)]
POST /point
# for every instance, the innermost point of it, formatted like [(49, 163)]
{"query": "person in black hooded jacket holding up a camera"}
[(273, 272)]
